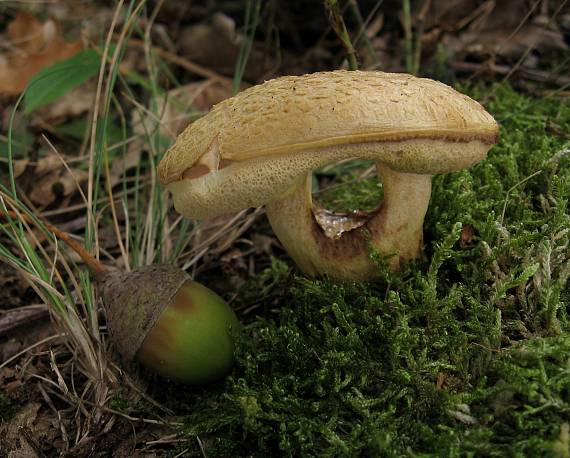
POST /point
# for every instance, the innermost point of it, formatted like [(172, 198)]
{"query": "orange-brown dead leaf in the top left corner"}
[(36, 46)]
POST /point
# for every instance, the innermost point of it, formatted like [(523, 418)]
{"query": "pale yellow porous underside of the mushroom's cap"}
[(256, 182)]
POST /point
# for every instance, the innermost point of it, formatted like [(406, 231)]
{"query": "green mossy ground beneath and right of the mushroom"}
[(466, 353)]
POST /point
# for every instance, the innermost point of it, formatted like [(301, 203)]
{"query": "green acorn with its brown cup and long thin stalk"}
[(157, 315)]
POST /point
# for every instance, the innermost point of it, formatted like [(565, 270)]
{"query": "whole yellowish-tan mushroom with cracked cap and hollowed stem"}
[(260, 147)]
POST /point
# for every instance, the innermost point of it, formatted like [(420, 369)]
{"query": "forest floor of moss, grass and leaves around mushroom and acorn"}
[(465, 352)]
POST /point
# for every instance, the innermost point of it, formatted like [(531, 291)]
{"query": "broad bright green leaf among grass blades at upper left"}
[(58, 79)]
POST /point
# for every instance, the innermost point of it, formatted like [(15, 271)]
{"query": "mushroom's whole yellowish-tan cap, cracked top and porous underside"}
[(254, 147)]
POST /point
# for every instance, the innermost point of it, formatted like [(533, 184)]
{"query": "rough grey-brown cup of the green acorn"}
[(135, 300)]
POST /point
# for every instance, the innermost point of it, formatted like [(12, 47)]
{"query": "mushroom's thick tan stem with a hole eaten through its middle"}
[(394, 228)]
